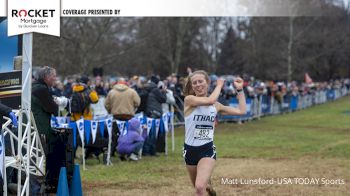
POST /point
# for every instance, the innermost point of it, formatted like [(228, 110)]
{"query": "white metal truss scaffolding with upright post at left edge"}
[(24, 151)]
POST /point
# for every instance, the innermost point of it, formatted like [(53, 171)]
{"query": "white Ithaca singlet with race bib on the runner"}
[(199, 125)]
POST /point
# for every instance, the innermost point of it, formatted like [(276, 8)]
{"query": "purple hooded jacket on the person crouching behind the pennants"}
[(127, 143)]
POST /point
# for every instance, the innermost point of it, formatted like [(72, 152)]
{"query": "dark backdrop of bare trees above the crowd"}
[(276, 48)]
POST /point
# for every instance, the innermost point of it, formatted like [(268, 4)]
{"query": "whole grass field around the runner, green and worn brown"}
[(308, 145)]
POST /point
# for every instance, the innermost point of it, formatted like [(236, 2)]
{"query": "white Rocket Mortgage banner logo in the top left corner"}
[(41, 16)]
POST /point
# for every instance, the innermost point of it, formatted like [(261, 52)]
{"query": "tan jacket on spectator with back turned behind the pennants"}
[(122, 100)]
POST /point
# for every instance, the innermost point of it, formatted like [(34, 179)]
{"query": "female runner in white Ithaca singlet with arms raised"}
[(200, 112)]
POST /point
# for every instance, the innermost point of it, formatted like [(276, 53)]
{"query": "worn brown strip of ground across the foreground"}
[(249, 177)]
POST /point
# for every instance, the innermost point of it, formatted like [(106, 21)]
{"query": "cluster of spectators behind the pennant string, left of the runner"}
[(122, 98)]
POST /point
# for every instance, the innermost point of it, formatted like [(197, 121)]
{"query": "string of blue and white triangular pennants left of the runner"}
[(90, 128)]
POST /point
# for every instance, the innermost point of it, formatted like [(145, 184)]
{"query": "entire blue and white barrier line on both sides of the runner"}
[(257, 106)]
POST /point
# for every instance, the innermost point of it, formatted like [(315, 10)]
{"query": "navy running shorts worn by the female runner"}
[(192, 154)]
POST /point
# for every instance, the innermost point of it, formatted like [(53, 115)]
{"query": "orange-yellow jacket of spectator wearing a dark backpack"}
[(87, 114)]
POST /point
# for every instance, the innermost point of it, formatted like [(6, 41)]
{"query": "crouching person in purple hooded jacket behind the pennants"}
[(130, 143)]
